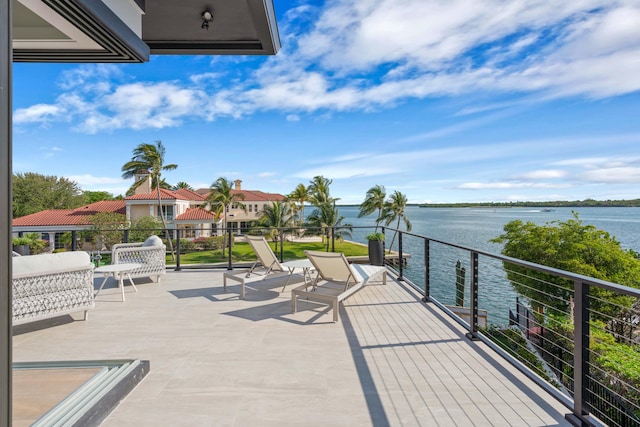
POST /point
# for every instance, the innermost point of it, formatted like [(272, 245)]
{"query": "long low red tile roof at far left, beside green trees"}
[(78, 216)]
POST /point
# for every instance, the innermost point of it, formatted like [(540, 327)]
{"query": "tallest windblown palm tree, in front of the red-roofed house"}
[(150, 158)]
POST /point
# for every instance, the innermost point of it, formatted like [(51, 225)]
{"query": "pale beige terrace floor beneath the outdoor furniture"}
[(217, 360)]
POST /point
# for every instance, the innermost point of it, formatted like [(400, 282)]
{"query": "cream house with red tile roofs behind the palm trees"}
[(184, 209)]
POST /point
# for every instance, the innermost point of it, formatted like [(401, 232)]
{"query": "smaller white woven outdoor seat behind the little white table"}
[(151, 254)]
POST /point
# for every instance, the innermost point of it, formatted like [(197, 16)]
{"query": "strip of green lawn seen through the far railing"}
[(242, 252)]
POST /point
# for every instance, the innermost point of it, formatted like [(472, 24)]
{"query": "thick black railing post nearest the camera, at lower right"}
[(580, 354)]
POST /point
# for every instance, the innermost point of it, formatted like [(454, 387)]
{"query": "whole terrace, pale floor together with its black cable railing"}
[(398, 356)]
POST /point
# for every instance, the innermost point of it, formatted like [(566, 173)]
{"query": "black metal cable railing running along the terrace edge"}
[(576, 336)]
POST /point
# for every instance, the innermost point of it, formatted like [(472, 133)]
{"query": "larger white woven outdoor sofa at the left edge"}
[(51, 285)]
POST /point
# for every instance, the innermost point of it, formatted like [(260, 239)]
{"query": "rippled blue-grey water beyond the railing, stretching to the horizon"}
[(474, 228)]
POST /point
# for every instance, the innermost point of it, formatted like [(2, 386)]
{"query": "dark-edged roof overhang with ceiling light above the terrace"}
[(131, 30)]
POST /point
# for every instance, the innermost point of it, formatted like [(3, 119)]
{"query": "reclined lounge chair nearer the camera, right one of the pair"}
[(336, 281)]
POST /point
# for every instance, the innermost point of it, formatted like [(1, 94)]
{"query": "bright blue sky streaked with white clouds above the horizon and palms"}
[(457, 101)]
